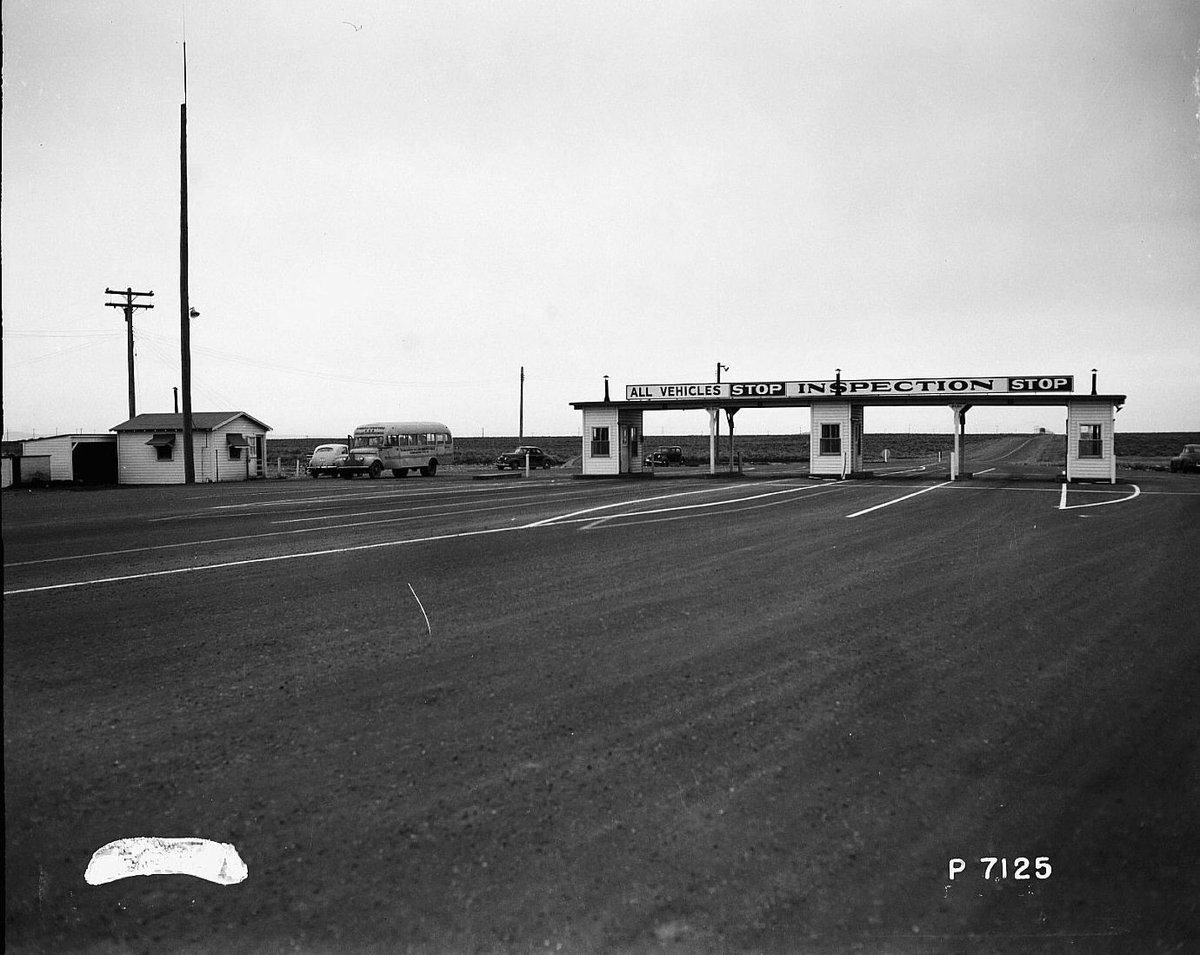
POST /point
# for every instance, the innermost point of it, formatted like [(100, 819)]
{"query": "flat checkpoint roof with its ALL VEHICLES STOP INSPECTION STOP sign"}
[(989, 391)]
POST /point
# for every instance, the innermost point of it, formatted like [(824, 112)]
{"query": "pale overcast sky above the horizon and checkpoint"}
[(397, 207)]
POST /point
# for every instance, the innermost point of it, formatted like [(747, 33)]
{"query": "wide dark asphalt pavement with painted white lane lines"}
[(550, 714)]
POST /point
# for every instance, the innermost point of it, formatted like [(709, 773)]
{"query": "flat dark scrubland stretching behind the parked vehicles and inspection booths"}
[(1147, 449)]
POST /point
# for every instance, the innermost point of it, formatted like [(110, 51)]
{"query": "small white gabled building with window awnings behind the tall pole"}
[(226, 447)]
